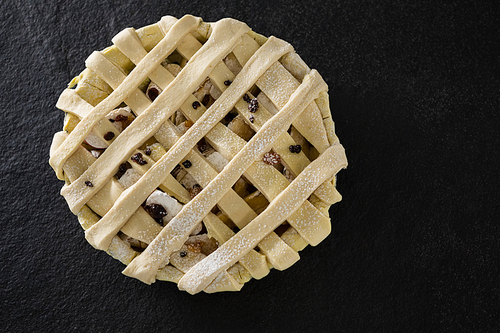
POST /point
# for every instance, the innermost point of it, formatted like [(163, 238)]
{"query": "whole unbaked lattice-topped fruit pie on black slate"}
[(198, 153)]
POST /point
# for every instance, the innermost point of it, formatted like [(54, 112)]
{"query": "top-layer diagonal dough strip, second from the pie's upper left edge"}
[(146, 124)]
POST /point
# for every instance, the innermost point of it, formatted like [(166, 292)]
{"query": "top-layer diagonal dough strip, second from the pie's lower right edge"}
[(144, 267)]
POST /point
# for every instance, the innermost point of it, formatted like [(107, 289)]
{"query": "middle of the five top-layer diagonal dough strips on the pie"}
[(100, 234)]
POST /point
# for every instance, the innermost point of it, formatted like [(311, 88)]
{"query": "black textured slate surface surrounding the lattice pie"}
[(415, 243)]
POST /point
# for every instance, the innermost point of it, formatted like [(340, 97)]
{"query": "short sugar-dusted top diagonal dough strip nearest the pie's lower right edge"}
[(325, 166)]
